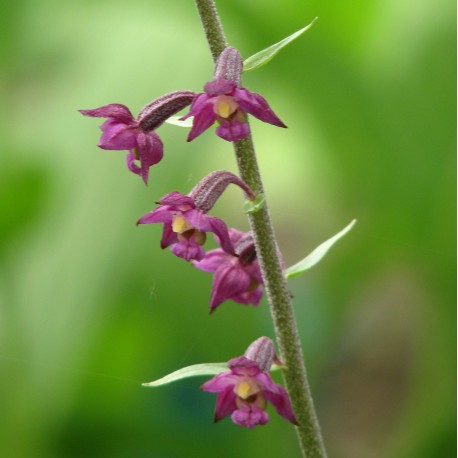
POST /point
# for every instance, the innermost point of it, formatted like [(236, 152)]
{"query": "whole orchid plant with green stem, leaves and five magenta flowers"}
[(245, 262)]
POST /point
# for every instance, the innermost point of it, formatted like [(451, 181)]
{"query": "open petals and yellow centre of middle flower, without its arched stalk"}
[(185, 226)]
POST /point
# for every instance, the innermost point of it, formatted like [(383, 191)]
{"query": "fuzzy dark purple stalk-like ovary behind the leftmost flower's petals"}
[(158, 111)]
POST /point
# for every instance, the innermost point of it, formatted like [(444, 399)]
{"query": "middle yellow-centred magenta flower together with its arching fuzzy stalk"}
[(185, 216)]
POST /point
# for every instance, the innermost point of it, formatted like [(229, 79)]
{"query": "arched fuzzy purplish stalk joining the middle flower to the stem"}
[(209, 189)]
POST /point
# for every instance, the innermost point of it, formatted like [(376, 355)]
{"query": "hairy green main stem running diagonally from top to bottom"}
[(278, 295)]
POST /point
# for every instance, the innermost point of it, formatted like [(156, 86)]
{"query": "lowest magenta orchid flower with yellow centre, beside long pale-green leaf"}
[(244, 390)]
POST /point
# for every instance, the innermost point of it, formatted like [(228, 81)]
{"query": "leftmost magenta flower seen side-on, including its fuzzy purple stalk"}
[(121, 131)]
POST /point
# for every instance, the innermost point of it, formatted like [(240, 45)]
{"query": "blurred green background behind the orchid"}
[(90, 307)]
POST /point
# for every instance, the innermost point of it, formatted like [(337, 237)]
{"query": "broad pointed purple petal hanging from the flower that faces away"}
[(228, 281)]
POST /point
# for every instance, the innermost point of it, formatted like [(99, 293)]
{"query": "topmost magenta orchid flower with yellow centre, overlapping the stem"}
[(228, 103)]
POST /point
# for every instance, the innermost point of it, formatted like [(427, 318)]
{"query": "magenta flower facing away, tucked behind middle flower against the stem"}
[(237, 275)]
